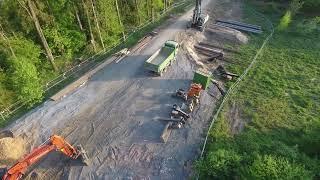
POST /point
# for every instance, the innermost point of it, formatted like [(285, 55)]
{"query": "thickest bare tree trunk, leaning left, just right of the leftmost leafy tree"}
[(41, 35)]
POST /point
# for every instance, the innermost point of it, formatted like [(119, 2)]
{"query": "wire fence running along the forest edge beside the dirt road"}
[(85, 65)]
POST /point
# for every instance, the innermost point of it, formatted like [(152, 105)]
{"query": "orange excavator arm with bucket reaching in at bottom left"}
[(54, 143)]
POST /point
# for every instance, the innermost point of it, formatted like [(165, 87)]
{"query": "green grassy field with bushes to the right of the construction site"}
[(270, 128)]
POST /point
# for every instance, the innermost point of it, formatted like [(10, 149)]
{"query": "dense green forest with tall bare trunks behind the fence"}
[(40, 39)]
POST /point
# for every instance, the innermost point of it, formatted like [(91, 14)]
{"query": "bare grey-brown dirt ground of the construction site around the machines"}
[(114, 115)]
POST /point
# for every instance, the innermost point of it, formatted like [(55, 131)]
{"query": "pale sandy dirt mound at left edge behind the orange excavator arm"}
[(11, 149)]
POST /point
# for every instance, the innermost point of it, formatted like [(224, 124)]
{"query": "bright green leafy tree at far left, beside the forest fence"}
[(22, 68)]
